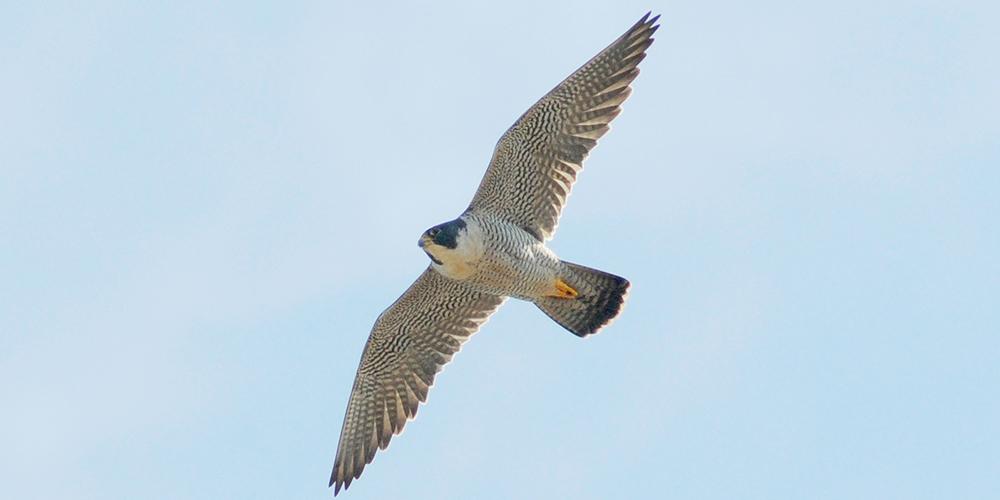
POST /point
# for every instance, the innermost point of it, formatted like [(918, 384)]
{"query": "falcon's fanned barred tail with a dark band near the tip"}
[(600, 298)]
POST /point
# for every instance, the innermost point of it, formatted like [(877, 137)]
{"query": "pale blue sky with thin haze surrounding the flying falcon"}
[(203, 208)]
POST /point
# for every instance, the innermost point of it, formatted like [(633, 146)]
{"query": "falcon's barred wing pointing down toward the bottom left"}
[(410, 342)]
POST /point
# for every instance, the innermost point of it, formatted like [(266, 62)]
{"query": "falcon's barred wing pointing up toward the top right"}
[(536, 161)]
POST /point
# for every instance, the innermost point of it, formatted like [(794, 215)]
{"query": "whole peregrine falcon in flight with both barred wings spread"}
[(494, 250)]
